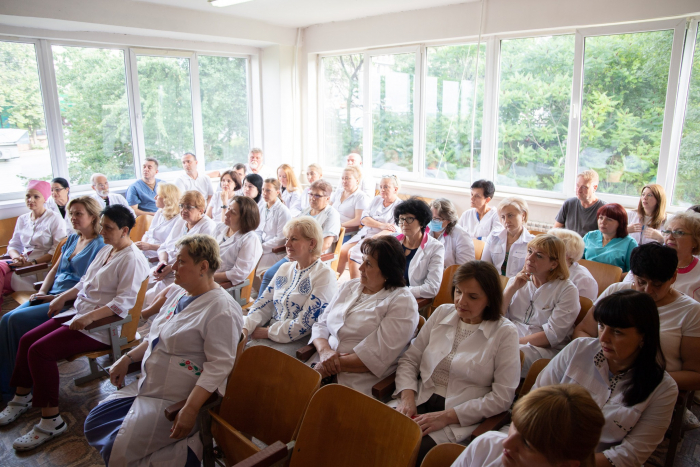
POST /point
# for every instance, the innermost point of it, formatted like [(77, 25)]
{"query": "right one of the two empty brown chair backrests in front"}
[(345, 428)]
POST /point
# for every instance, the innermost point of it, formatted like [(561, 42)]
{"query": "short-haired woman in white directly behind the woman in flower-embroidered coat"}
[(191, 221)]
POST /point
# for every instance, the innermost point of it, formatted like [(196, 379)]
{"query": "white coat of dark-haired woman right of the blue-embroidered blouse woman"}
[(378, 328)]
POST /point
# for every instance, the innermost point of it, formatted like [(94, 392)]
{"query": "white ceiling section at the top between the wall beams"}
[(303, 13)]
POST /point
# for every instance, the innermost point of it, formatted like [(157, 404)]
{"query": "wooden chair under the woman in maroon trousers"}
[(125, 341)]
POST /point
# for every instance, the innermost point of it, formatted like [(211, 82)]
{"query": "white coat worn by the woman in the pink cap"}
[(35, 238)]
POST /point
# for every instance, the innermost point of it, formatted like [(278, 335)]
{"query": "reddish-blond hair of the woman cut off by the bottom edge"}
[(562, 422)]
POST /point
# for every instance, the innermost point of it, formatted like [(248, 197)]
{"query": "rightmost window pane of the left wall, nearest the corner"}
[(224, 92)]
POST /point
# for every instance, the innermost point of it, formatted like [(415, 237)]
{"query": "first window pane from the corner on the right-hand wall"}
[(343, 99)]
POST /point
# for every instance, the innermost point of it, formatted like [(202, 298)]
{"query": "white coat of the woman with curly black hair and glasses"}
[(426, 268)]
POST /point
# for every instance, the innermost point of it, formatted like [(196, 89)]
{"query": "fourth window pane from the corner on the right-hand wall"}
[(533, 111)]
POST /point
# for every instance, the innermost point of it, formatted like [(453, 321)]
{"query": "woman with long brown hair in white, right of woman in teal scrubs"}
[(645, 223)]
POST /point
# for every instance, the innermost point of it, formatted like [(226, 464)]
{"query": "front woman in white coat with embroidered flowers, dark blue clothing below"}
[(188, 354)]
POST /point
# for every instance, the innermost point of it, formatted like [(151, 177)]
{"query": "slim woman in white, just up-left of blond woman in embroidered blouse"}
[(273, 217)]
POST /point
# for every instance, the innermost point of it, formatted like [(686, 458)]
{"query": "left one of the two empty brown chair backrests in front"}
[(267, 394)]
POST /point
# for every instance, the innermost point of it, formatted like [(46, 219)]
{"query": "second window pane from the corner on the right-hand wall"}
[(392, 81)]
